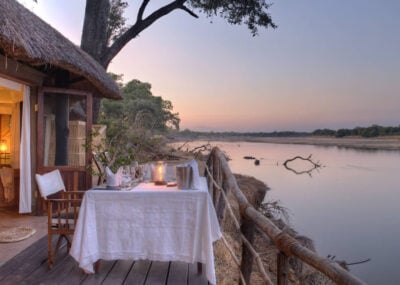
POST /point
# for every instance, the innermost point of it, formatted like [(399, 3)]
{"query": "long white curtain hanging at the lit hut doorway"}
[(25, 187)]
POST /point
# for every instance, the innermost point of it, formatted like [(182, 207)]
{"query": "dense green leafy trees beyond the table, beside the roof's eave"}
[(134, 122)]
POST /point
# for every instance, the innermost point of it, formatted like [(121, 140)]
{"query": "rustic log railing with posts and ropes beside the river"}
[(221, 181)]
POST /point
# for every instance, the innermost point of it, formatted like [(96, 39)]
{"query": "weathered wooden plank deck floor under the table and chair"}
[(30, 267)]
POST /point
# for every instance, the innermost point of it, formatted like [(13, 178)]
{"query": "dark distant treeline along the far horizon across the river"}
[(367, 132)]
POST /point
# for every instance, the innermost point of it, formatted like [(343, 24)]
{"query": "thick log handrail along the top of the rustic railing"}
[(286, 244)]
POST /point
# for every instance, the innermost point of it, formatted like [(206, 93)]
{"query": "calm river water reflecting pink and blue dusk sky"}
[(350, 207)]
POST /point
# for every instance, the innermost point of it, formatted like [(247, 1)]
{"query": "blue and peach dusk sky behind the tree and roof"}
[(329, 64)]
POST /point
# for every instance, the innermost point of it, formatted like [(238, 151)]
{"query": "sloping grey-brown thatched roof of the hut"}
[(27, 38)]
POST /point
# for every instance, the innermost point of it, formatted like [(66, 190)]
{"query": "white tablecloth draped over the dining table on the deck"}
[(148, 222)]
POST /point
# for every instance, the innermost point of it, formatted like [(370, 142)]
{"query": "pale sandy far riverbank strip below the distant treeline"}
[(377, 143)]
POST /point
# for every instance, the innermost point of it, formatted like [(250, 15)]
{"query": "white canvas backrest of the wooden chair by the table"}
[(50, 183)]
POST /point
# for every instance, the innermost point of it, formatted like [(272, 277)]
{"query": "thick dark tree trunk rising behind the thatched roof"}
[(94, 37)]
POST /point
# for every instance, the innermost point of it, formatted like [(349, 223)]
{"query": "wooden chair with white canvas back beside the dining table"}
[(62, 210)]
